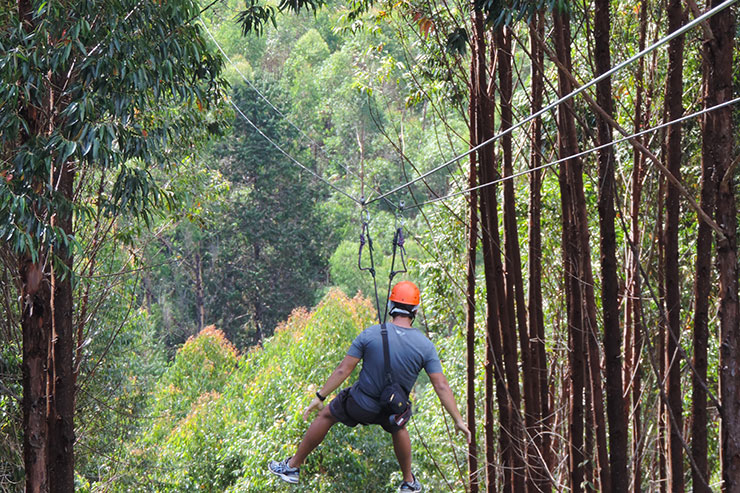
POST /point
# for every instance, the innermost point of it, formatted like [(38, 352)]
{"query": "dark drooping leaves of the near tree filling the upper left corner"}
[(114, 72)]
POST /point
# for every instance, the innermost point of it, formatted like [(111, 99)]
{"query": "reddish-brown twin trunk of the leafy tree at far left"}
[(47, 324)]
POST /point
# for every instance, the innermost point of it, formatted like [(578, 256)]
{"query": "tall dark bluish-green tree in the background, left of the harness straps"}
[(272, 240)]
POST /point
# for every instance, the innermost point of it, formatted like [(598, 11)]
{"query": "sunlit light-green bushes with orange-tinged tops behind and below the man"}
[(222, 417)]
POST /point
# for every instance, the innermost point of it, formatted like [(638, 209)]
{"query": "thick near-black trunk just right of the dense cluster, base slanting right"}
[(615, 406)]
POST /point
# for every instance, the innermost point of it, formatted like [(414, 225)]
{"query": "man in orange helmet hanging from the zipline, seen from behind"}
[(408, 351)]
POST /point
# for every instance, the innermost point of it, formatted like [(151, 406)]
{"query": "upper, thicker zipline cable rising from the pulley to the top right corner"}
[(568, 96)]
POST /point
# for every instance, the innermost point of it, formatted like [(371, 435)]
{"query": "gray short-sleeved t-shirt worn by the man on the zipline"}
[(410, 351)]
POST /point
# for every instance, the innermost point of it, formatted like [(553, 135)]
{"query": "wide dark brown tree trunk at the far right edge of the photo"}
[(717, 150)]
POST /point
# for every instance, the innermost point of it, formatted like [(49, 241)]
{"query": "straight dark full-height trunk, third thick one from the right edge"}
[(674, 110)]
